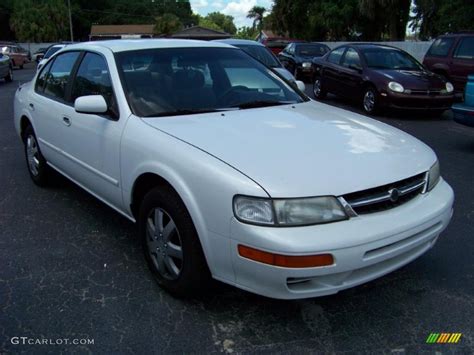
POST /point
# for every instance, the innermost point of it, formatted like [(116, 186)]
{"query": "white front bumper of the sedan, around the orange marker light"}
[(364, 248)]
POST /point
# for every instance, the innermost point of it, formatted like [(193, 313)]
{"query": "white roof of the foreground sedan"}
[(121, 45)]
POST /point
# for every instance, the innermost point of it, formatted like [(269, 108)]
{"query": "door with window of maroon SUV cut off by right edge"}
[(463, 62)]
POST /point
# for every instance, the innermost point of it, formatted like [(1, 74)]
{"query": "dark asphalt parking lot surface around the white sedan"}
[(70, 267)]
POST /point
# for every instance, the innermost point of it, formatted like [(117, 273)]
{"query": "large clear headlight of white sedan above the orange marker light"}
[(288, 212)]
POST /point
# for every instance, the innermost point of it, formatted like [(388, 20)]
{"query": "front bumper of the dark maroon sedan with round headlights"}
[(416, 102)]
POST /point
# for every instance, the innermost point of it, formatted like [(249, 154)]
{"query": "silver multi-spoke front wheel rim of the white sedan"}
[(164, 244)]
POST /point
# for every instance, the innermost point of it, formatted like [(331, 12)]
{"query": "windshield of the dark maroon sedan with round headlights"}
[(388, 58)]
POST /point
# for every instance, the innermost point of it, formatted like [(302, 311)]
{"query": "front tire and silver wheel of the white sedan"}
[(174, 255)]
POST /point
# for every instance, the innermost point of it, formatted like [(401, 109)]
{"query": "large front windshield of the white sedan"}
[(177, 81)]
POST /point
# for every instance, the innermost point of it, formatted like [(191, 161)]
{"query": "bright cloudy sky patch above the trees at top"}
[(235, 8)]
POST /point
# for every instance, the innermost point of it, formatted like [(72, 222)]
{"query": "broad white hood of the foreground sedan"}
[(308, 149)]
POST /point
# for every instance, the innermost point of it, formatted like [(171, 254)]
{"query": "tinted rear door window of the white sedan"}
[(58, 77)]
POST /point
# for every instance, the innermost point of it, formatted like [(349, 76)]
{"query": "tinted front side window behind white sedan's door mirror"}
[(93, 78)]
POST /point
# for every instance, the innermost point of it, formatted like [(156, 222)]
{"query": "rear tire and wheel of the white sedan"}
[(36, 163)]
